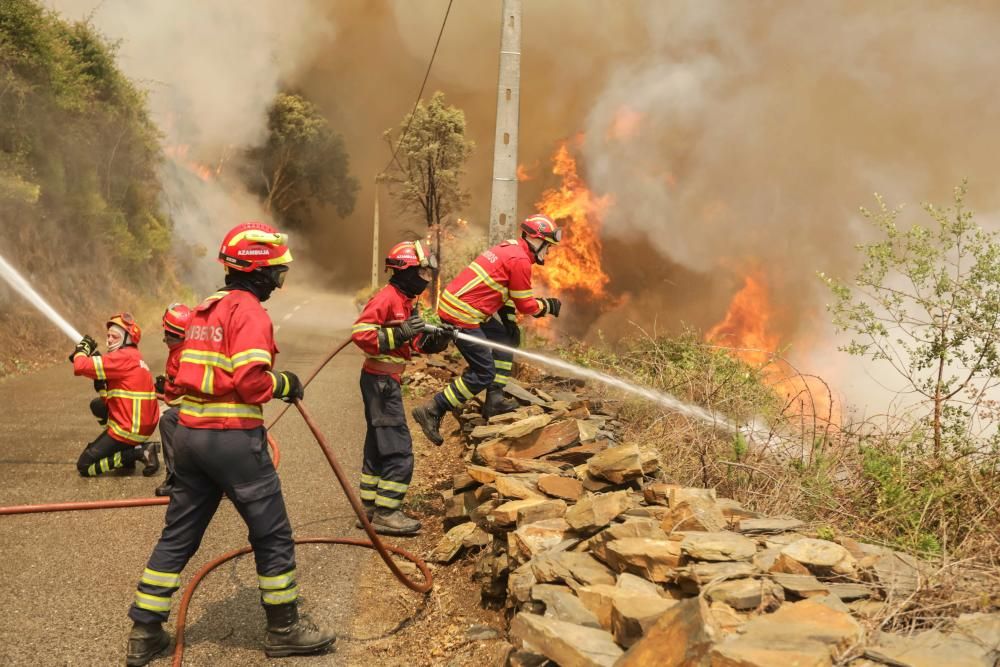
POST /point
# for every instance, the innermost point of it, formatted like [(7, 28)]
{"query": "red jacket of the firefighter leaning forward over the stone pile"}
[(500, 274)]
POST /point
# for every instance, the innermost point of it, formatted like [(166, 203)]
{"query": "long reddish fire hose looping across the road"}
[(373, 542)]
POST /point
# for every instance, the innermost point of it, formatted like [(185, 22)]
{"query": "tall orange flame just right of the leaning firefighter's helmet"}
[(576, 264)]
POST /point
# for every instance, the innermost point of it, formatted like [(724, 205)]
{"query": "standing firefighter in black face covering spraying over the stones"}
[(389, 330)]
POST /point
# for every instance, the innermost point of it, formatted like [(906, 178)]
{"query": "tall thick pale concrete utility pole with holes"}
[(503, 202)]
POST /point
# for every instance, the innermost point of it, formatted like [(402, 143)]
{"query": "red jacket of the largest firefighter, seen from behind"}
[(228, 349)]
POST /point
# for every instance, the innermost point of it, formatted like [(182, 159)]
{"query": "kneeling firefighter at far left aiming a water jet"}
[(127, 403)]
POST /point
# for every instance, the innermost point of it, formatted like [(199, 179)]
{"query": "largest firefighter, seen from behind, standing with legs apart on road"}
[(219, 448)]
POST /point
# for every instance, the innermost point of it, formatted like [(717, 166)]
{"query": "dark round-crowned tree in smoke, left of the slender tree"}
[(303, 162)]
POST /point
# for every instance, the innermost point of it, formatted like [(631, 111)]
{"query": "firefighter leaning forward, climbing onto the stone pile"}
[(483, 301)]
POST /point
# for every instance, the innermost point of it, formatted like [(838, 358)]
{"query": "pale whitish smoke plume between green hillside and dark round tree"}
[(211, 69)]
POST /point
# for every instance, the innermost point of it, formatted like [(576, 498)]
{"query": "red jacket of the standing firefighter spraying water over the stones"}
[(372, 332)]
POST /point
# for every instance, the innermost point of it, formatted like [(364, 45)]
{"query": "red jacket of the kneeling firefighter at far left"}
[(130, 397)]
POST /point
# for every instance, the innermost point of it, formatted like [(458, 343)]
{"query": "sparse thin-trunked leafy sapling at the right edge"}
[(927, 301)]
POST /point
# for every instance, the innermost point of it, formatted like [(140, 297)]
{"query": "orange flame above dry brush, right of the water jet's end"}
[(747, 332)]
